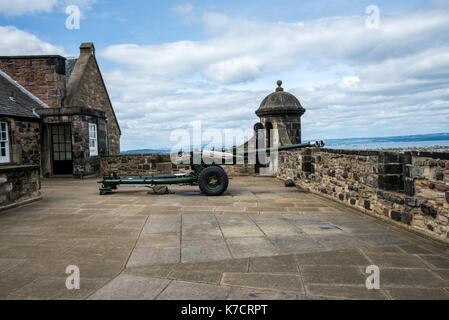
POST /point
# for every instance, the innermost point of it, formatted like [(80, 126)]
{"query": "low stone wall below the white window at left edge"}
[(18, 184)]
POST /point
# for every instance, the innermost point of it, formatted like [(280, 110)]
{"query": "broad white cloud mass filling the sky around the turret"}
[(389, 81)]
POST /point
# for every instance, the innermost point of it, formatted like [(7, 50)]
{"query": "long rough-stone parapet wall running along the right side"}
[(401, 186)]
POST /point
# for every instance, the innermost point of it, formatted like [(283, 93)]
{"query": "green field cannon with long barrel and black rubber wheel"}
[(208, 174)]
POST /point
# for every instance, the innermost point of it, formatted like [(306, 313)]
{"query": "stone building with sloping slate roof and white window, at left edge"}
[(20, 143)]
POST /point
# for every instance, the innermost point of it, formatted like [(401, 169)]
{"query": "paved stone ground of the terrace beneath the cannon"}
[(258, 241)]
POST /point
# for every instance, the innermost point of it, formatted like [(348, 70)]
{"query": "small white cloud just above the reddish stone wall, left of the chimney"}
[(14, 41)]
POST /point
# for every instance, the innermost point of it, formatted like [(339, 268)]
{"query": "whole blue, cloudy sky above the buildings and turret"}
[(168, 63)]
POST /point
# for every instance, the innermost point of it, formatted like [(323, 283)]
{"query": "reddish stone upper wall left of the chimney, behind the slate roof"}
[(43, 76)]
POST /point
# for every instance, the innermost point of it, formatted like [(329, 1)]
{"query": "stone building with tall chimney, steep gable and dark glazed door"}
[(77, 120)]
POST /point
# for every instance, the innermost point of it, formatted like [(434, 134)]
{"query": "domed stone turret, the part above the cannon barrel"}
[(282, 111)]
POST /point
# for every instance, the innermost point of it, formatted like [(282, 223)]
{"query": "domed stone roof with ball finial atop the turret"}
[(280, 102)]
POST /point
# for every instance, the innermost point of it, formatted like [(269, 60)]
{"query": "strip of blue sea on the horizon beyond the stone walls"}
[(433, 140)]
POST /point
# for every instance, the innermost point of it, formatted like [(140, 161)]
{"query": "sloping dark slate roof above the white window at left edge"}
[(16, 100)]
